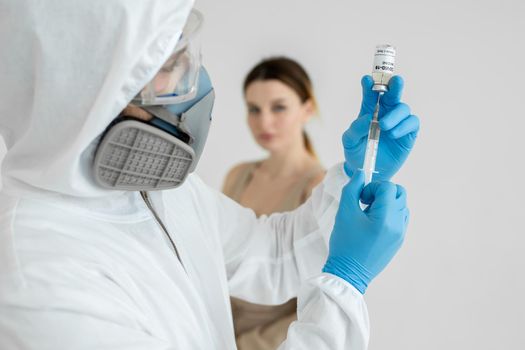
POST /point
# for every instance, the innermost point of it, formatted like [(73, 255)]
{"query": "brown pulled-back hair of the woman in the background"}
[(290, 73)]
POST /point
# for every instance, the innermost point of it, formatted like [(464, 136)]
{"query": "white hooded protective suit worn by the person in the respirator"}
[(86, 268)]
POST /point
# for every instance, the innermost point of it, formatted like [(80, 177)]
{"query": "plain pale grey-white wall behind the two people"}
[(458, 282)]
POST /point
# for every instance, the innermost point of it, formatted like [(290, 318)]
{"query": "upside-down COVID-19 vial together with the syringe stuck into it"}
[(383, 70)]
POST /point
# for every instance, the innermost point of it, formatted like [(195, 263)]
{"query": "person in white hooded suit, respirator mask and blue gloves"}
[(104, 103)]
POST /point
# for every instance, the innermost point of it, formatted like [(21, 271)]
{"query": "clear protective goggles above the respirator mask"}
[(178, 78)]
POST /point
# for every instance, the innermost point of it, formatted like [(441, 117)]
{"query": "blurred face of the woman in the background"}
[(276, 115)]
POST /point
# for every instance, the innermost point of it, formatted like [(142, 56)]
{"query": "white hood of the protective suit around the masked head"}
[(68, 68)]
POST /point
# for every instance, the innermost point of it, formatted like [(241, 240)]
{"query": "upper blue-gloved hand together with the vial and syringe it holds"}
[(381, 138)]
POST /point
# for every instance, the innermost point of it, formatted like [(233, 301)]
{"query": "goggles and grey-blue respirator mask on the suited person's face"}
[(159, 153)]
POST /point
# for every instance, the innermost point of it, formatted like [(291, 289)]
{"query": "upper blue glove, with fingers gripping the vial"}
[(399, 130)]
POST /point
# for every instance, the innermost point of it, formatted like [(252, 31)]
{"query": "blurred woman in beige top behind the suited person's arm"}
[(280, 100)]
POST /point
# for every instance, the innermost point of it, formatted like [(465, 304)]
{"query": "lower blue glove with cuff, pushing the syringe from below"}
[(363, 242)]
